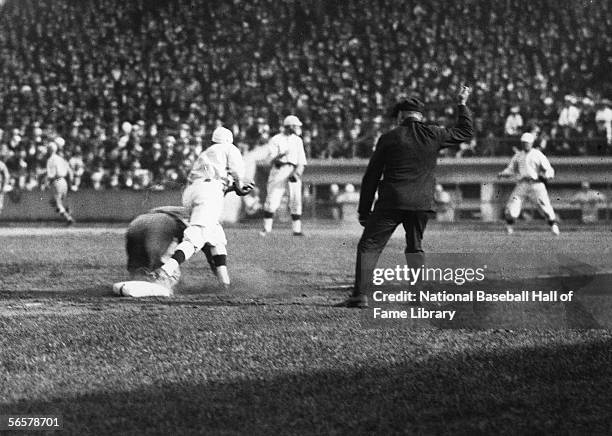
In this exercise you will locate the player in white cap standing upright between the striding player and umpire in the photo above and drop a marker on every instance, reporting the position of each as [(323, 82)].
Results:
[(287, 157)]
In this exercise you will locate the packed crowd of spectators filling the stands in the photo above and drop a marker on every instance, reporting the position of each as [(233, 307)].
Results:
[(135, 87)]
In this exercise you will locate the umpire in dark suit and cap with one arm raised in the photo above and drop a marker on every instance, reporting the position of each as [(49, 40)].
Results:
[(406, 159)]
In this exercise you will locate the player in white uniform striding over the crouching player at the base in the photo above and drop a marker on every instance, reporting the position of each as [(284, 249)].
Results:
[(203, 197)]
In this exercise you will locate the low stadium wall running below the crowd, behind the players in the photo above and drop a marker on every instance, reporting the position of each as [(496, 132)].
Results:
[(478, 175)]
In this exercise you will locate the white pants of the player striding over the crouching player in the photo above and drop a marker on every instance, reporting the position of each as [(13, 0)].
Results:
[(204, 201)]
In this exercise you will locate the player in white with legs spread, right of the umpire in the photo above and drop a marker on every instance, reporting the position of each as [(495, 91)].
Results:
[(532, 169)]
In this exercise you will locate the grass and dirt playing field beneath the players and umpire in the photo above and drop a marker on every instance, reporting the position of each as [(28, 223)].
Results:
[(271, 356)]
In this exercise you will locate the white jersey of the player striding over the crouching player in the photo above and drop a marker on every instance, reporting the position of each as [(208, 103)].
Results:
[(216, 162)]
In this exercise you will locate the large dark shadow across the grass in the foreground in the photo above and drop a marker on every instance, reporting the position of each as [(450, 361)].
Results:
[(533, 390)]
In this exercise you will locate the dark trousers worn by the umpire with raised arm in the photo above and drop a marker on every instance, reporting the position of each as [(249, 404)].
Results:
[(380, 226)]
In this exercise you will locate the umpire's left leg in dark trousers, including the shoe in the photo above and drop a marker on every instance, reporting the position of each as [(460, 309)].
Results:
[(380, 226)]
